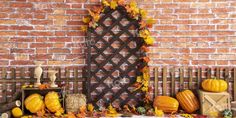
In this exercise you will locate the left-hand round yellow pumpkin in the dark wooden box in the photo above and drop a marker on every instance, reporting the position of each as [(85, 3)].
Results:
[(34, 103)]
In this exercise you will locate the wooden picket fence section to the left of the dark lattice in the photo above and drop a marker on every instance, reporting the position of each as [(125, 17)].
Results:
[(11, 79)]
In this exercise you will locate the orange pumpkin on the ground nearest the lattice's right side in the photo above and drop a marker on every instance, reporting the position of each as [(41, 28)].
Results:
[(166, 104)]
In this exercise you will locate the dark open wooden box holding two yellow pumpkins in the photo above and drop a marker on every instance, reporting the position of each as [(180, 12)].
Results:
[(28, 91)]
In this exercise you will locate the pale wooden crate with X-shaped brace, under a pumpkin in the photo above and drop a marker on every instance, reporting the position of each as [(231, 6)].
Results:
[(212, 104)]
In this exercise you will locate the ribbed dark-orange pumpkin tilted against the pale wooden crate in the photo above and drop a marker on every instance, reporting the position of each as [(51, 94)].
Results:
[(188, 101)]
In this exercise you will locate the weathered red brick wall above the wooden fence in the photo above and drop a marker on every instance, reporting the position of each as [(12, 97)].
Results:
[(187, 32)]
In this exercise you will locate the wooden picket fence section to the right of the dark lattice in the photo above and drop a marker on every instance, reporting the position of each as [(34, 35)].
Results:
[(168, 81)]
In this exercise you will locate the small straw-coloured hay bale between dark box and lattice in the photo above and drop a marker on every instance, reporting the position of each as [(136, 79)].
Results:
[(74, 101)]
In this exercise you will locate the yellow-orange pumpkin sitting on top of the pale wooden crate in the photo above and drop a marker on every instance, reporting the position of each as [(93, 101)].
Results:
[(214, 85)]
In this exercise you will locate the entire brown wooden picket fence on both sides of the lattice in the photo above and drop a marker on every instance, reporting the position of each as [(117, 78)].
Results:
[(167, 81)]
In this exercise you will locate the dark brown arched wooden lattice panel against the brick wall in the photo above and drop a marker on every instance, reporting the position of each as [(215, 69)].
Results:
[(113, 59)]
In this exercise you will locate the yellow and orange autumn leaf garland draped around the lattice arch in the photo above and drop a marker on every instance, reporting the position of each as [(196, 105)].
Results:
[(142, 81)]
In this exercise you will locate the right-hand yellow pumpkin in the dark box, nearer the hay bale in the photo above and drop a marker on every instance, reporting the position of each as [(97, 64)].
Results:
[(52, 102)]
